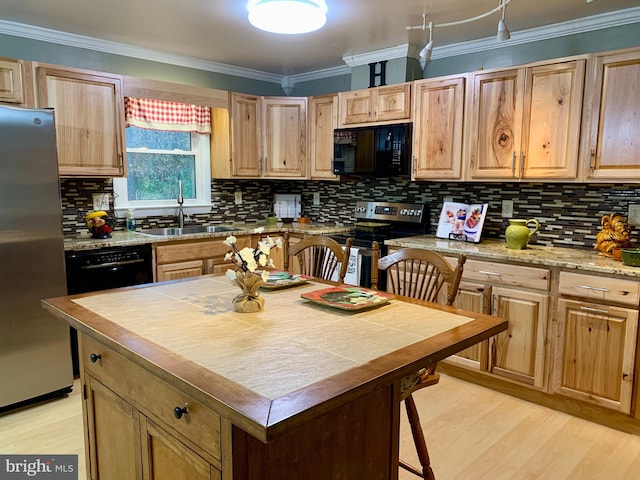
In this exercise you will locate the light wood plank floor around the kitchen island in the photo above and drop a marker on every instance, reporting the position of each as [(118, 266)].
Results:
[(473, 433)]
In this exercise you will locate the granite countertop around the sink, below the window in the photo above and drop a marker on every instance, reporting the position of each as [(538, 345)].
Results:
[(123, 238)]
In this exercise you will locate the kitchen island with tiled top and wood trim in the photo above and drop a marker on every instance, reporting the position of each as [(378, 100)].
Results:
[(177, 385)]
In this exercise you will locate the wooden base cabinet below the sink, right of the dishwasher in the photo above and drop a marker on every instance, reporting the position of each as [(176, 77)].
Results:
[(192, 258)]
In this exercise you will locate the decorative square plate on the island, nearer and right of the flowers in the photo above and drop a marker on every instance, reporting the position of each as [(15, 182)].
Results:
[(349, 298)]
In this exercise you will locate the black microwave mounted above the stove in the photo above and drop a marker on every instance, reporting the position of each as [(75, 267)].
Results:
[(381, 150)]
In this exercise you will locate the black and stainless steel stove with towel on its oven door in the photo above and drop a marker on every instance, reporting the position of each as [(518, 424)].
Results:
[(379, 221)]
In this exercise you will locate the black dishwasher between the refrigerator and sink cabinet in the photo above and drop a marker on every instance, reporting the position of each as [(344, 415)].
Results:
[(103, 269)]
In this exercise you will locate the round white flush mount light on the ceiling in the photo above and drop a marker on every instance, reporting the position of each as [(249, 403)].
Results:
[(287, 16)]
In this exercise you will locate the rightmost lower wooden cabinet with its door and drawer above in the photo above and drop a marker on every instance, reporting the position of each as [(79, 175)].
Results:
[(596, 340)]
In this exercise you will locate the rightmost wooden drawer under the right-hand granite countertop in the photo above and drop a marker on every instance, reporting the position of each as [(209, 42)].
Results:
[(600, 289)]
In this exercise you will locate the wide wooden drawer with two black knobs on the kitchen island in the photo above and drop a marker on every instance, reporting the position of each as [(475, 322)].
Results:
[(152, 396)]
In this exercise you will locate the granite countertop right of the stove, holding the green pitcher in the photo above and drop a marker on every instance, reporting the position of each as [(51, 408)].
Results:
[(494, 249)]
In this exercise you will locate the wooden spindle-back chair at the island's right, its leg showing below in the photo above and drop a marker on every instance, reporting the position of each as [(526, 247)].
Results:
[(420, 274)]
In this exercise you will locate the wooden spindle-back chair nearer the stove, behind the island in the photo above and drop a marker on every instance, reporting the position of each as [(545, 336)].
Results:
[(318, 256)]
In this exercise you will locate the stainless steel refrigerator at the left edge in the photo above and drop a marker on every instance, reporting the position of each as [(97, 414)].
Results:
[(35, 358)]
